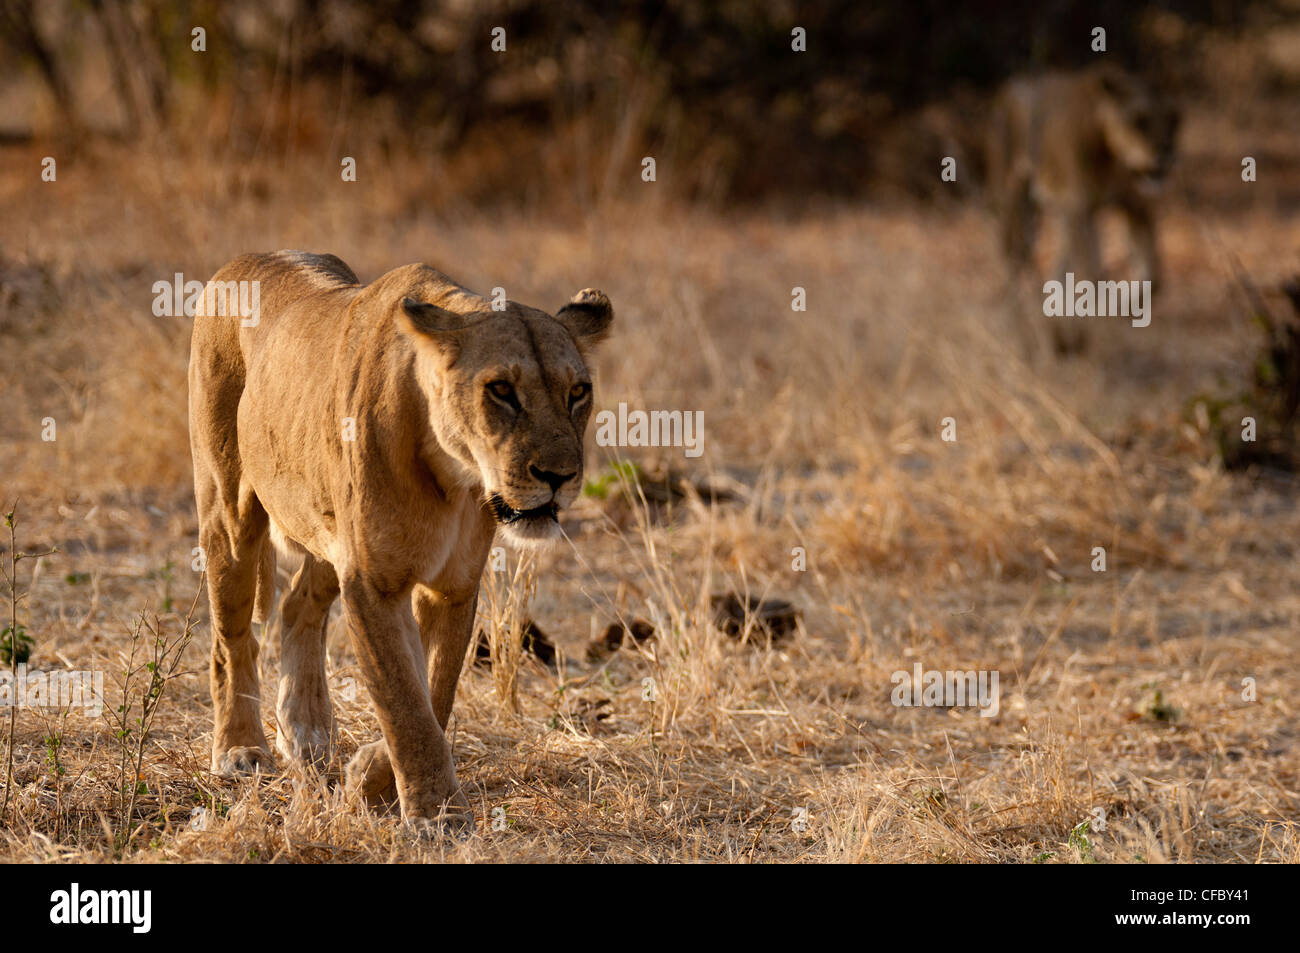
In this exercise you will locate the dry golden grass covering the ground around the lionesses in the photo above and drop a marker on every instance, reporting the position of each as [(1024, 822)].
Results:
[(957, 556)]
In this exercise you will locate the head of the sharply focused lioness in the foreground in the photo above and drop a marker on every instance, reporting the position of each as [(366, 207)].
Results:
[(510, 396)]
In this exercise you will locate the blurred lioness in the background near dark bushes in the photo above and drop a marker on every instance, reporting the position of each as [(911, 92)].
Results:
[(1068, 145)]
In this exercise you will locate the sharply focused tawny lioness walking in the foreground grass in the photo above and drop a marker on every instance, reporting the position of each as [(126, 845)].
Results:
[(384, 432)]
